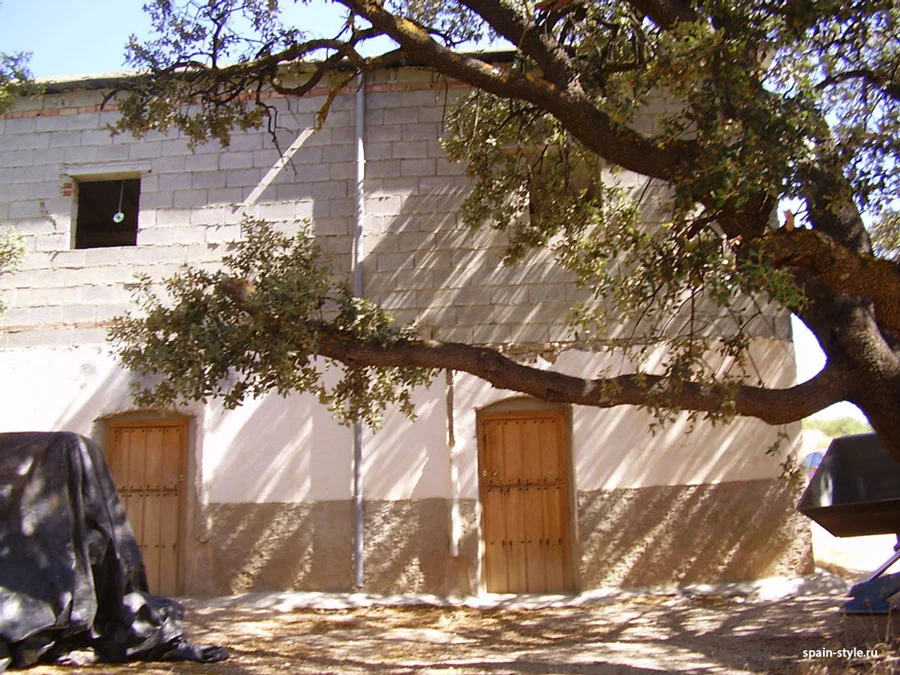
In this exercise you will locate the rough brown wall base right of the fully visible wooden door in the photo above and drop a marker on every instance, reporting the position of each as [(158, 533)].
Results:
[(692, 534)]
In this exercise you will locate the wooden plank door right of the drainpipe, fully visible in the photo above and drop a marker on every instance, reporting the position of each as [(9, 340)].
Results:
[(523, 468)]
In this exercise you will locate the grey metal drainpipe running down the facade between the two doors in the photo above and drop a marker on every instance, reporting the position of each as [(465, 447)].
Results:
[(358, 290)]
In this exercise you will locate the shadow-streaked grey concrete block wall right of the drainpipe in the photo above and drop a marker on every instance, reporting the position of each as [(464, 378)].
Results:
[(422, 262)]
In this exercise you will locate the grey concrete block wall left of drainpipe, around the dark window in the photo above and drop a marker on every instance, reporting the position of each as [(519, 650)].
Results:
[(191, 205)]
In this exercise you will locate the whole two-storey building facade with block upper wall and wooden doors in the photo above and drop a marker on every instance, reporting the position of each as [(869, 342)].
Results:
[(485, 491)]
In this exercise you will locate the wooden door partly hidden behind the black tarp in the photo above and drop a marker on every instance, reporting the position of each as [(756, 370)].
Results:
[(147, 461)]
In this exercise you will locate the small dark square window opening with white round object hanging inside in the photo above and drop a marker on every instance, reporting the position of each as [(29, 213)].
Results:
[(107, 213)]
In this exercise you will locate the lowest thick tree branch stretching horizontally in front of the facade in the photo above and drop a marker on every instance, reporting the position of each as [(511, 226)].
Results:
[(775, 406)]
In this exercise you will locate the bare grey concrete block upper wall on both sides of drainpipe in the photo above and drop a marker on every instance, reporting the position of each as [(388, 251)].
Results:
[(421, 262)]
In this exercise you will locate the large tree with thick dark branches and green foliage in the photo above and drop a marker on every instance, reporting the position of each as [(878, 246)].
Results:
[(763, 100)]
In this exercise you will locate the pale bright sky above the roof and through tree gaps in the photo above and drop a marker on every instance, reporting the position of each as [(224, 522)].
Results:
[(88, 38)]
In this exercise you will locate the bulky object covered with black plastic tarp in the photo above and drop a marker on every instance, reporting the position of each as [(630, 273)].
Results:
[(71, 574)]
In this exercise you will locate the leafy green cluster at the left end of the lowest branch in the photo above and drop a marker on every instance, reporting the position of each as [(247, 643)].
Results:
[(254, 326)]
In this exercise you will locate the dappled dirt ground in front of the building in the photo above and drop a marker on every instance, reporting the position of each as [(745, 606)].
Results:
[(631, 634)]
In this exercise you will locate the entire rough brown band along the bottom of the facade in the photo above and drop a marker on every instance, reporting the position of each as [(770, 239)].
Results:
[(635, 537)]
